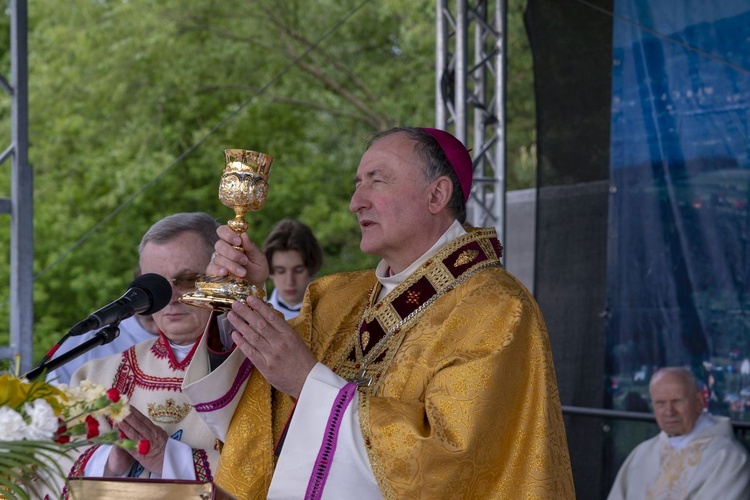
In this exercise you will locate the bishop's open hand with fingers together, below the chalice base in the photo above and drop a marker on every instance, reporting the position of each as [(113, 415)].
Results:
[(274, 348)]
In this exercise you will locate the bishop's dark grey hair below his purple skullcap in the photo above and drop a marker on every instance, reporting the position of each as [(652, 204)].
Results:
[(436, 164)]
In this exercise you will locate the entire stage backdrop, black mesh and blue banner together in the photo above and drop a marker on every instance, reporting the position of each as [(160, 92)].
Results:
[(643, 209)]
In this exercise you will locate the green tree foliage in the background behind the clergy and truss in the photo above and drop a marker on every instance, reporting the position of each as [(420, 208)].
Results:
[(133, 101)]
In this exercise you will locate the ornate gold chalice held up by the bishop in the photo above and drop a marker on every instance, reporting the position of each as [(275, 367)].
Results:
[(243, 188)]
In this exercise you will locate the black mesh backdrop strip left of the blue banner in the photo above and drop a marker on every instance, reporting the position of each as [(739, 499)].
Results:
[(571, 44)]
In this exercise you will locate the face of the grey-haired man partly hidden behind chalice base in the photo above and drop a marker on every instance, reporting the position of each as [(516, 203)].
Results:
[(179, 260)]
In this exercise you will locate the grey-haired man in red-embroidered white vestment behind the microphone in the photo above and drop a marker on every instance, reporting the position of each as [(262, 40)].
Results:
[(150, 373)]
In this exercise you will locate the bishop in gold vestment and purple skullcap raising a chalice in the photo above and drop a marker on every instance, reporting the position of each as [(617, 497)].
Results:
[(428, 377)]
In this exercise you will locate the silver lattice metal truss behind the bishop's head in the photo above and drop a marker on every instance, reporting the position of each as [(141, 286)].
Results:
[(470, 89)]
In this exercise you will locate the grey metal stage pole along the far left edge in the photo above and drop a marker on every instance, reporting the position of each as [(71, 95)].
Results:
[(20, 204)]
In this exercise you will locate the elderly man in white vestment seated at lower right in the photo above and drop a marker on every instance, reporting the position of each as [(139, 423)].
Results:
[(694, 456)]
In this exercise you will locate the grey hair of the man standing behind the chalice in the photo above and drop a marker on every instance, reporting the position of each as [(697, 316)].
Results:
[(172, 226)]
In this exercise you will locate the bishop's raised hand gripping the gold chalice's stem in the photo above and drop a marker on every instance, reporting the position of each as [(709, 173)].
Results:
[(248, 263)]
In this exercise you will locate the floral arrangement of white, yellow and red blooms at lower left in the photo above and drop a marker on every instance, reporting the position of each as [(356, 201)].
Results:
[(41, 422)]
